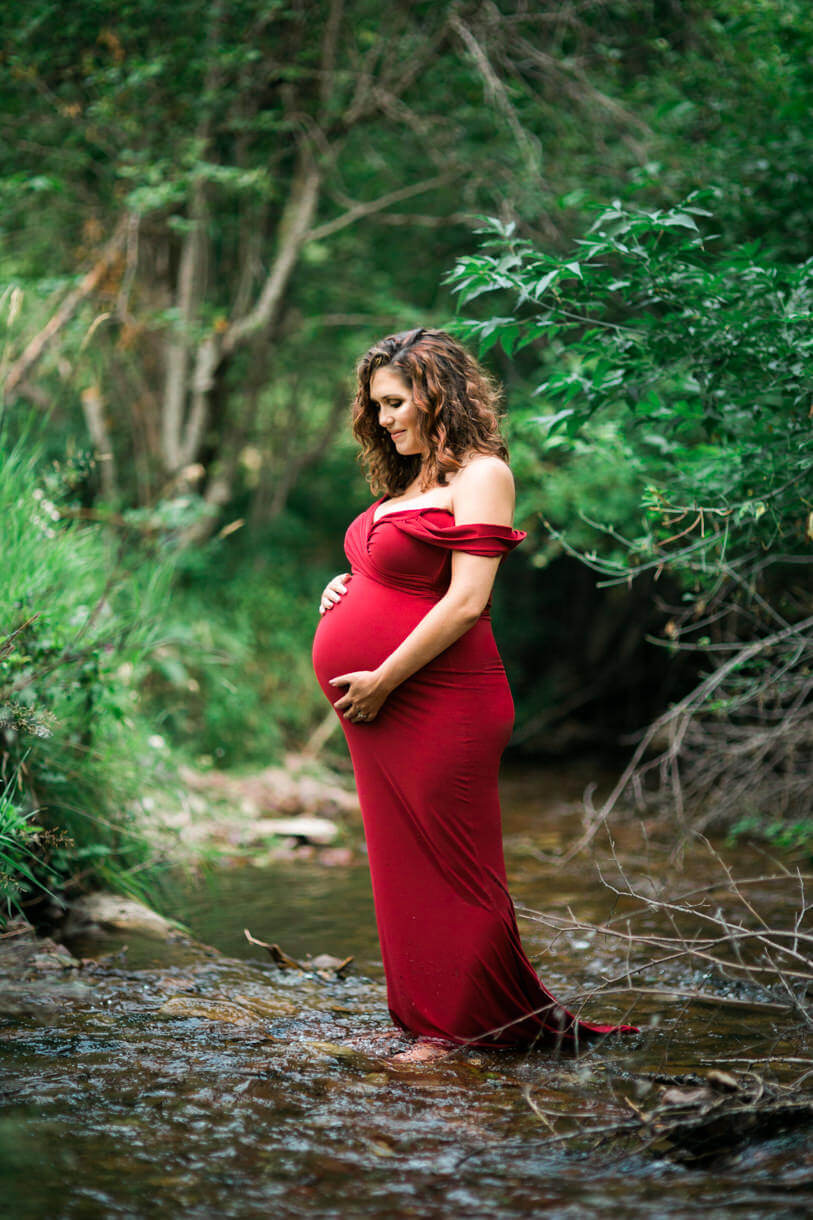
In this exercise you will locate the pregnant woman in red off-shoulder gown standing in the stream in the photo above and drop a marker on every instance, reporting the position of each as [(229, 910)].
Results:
[(406, 653)]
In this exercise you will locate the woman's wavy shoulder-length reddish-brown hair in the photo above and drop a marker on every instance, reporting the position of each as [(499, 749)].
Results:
[(457, 401)]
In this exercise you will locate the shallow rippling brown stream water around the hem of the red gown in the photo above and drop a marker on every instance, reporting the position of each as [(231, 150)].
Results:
[(167, 1080)]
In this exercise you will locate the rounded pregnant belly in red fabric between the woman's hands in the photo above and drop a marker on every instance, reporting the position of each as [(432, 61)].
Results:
[(369, 623)]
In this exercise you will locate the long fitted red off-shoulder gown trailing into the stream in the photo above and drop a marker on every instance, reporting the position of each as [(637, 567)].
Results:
[(427, 774)]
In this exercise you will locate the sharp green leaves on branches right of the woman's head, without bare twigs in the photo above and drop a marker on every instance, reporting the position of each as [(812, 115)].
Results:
[(698, 367)]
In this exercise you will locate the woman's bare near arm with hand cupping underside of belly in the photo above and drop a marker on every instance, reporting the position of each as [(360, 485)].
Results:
[(483, 492)]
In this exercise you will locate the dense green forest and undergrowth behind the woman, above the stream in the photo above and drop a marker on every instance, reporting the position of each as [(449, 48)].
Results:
[(212, 210)]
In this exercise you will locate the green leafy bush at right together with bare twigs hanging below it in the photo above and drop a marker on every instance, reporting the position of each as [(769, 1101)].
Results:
[(690, 365)]
